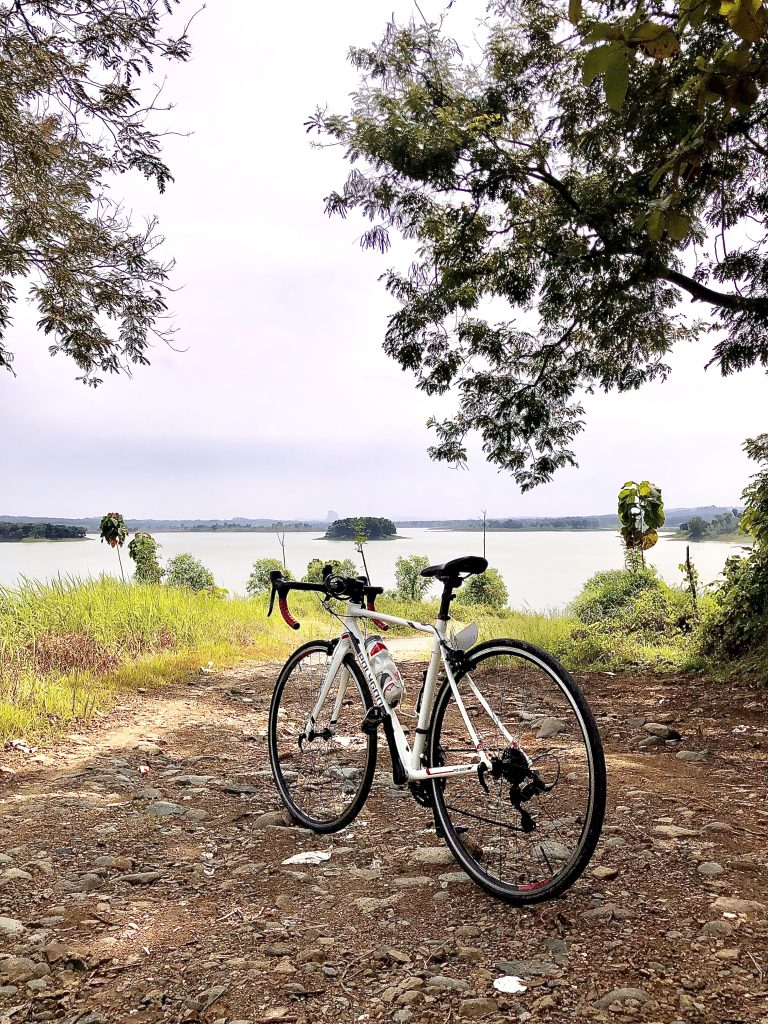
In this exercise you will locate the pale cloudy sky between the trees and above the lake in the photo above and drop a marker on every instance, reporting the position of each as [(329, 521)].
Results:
[(282, 403)]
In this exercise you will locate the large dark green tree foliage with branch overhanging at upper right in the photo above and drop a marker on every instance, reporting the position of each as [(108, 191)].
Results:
[(551, 255)]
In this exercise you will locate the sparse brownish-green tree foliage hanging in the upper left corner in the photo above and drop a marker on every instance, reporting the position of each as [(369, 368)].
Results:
[(76, 112)]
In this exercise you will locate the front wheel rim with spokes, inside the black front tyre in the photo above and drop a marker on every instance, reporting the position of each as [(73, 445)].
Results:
[(322, 776)]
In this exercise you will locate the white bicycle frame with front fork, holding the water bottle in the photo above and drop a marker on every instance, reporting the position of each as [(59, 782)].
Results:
[(411, 758)]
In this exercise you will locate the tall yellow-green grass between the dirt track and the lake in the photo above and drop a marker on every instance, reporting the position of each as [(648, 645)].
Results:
[(68, 648)]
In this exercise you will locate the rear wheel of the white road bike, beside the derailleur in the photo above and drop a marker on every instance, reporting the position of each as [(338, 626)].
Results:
[(527, 829)]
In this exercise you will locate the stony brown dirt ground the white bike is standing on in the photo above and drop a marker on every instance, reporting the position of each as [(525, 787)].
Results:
[(141, 881)]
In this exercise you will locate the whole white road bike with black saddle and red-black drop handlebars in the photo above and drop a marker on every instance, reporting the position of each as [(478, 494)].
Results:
[(503, 748)]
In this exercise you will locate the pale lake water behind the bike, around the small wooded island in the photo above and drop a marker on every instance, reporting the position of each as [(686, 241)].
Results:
[(542, 571)]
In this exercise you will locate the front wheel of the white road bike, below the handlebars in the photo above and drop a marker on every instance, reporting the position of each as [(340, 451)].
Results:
[(323, 769)]
